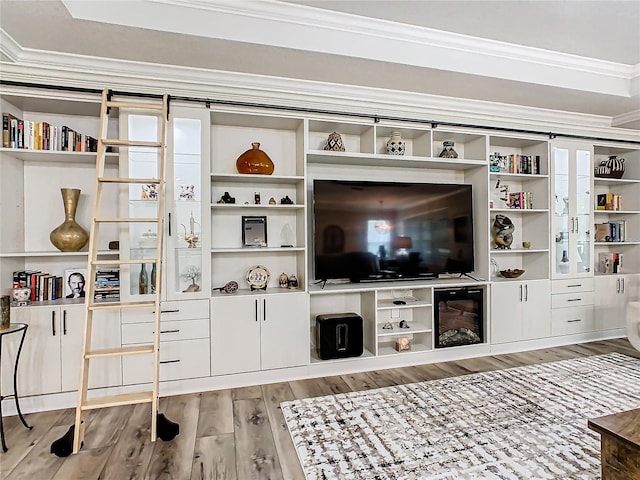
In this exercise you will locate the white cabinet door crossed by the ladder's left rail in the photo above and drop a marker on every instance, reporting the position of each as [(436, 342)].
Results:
[(103, 372)]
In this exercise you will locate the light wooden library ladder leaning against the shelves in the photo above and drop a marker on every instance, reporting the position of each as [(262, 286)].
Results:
[(85, 404)]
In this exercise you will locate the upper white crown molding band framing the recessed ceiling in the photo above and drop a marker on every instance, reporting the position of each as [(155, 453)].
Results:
[(280, 24)]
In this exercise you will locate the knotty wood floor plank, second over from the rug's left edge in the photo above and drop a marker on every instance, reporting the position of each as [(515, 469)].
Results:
[(256, 455)]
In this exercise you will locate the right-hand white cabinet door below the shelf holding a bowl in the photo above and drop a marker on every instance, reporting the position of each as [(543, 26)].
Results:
[(536, 310)]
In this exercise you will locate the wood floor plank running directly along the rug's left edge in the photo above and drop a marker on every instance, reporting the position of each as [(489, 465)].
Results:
[(274, 395)]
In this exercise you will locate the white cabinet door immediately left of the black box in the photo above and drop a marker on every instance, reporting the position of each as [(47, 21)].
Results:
[(285, 331)]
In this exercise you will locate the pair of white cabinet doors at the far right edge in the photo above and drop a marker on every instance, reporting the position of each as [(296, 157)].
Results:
[(612, 295)]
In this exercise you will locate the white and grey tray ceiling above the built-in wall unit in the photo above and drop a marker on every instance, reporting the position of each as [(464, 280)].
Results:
[(572, 56)]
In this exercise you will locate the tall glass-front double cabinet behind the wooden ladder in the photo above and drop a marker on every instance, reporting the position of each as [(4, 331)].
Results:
[(185, 273)]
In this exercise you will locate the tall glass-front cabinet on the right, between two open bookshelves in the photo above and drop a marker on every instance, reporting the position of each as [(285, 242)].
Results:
[(572, 216)]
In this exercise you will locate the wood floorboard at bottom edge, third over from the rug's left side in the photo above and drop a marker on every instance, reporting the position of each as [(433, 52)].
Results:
[(214, 458)]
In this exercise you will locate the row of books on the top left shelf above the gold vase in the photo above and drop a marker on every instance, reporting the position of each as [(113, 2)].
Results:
[(26, 134)]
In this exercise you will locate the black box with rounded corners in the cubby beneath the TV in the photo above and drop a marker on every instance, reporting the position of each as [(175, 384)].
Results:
[(339, 335)]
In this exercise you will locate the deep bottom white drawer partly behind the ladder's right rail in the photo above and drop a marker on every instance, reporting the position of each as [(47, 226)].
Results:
[(178, 360)]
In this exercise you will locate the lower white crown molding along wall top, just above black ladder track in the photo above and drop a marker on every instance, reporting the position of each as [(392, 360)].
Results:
[(36, 66)]
